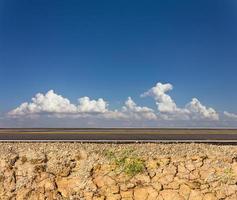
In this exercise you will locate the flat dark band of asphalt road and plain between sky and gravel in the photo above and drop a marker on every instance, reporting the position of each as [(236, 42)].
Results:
[(118, 134)]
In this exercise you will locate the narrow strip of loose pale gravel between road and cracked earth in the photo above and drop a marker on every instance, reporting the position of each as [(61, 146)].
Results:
[(142, 149)]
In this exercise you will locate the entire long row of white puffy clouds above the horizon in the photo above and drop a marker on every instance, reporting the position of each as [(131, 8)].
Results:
[(54, 105)]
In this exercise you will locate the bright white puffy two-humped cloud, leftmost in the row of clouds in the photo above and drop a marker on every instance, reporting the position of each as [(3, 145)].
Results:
[(52, 103)]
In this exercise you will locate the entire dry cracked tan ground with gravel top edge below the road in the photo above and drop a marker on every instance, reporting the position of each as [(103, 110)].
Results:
[(85, 171)]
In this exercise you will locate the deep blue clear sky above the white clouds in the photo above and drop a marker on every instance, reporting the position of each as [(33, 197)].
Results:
[(116, 49)]
